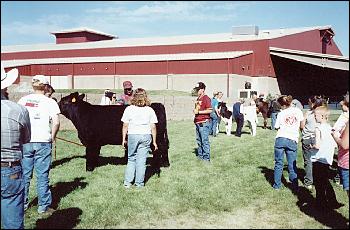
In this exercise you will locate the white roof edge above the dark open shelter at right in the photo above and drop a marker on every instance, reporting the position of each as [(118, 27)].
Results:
[(323, 60)]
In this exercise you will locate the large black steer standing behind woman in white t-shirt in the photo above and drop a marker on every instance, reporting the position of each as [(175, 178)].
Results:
[(100, 125)]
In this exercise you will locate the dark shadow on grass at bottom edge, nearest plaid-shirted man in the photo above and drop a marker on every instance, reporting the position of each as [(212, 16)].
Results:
[(61, 219)]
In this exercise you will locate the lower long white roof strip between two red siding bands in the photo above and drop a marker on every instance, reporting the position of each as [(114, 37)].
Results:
[(129, 58)]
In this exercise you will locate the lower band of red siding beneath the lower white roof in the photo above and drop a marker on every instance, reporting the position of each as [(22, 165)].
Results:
[(240, 65)]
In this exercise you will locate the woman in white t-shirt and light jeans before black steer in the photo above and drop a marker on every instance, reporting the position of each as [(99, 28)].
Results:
[(139, 131)]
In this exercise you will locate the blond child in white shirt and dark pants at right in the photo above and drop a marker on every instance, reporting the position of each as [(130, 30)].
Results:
[(322, 159)]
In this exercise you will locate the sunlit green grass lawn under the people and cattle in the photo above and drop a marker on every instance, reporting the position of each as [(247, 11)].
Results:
[(234, 191)]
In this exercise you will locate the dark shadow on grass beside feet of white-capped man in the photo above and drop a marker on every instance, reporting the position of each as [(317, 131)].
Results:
[(60, 190)]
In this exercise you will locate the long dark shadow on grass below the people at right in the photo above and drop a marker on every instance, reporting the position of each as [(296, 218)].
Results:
[(307, 203)]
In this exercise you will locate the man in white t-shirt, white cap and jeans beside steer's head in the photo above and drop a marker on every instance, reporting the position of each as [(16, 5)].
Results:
[(37, 153)]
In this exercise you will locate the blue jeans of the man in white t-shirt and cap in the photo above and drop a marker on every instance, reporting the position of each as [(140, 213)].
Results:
[(37, 155)]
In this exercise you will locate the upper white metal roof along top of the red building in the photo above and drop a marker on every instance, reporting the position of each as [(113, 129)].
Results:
[(170, 40)]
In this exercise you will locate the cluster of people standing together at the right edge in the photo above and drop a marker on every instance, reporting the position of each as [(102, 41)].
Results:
[(319, 141)]
